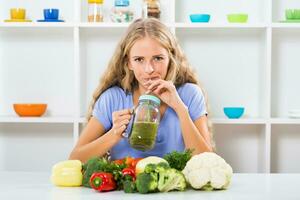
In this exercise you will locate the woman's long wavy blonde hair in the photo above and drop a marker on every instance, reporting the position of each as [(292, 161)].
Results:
[(117, 72)]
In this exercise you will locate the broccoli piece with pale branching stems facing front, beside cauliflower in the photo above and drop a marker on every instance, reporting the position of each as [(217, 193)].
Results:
[(171, 179)]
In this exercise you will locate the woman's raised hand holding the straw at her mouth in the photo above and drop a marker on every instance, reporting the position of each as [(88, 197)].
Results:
[(166, 91)]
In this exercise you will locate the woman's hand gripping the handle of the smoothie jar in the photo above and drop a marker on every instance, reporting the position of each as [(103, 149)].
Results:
[(120, 119)]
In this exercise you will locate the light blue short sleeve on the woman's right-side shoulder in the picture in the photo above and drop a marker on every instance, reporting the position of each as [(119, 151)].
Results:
[(194, 99)]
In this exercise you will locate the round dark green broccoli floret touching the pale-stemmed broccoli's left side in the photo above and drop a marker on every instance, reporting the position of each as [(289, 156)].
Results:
[(146, 182)]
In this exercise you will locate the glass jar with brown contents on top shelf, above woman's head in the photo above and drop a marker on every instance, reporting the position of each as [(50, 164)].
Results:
[(151, 8)]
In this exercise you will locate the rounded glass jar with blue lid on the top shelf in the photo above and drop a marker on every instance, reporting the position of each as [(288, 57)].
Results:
[(122, 12)]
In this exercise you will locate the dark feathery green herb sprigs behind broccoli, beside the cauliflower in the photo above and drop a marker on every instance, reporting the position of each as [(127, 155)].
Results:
[(178, 160)]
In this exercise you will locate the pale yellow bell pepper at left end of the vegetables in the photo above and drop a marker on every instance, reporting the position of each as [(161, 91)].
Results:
[(67, 173)]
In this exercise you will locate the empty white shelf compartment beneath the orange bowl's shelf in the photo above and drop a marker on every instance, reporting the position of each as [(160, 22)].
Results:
[(36, 146)]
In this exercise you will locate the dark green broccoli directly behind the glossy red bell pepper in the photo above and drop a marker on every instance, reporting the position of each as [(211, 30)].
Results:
[(97, 164)]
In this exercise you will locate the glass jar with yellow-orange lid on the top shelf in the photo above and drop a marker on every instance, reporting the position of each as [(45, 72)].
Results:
[(95, 10)]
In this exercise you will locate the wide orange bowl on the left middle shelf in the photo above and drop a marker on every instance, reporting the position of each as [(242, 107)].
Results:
[(30, 110)]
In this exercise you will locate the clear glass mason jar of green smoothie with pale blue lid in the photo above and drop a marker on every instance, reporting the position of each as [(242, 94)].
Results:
[(145, 123)]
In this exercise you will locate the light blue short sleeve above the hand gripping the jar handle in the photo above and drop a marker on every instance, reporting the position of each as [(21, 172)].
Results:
[(103, 109)]
